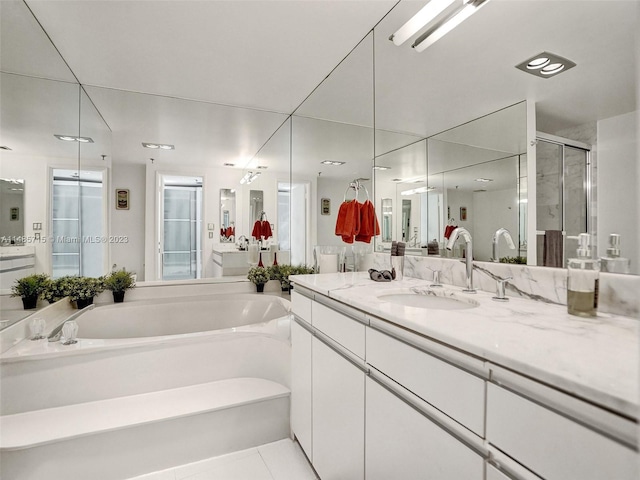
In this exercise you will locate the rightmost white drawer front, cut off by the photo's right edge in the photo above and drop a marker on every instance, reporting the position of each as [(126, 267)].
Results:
[(552, 445)]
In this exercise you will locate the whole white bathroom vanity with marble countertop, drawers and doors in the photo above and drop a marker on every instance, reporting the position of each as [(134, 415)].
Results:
[(479, 390)]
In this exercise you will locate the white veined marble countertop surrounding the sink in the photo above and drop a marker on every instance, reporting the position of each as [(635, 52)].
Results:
[(596, 359)]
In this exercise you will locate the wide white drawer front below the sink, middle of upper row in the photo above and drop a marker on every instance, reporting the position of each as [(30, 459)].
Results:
[(451, 390)]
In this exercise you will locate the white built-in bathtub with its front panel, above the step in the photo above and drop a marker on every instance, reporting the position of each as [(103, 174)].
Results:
[(148, 345)]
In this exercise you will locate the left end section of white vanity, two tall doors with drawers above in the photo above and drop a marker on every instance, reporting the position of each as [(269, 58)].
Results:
[(327, 399)]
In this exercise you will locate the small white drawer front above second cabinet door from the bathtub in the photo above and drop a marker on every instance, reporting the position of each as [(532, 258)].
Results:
[(347, 332)]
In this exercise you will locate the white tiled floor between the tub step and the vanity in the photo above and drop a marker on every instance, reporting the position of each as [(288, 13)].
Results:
[(282, 460)]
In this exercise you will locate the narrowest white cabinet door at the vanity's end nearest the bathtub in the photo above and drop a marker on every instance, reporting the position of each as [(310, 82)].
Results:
[(301, 386)]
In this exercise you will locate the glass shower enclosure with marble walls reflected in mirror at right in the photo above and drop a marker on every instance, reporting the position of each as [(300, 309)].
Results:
[(563, 195)]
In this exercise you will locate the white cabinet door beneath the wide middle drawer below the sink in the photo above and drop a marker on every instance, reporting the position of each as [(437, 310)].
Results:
[(402, 443)]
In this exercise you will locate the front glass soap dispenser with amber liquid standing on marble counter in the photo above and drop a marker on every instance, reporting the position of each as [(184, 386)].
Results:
[(582, 280)]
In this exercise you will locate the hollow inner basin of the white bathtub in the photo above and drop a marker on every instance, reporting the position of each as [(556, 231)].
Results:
[(181, 316)]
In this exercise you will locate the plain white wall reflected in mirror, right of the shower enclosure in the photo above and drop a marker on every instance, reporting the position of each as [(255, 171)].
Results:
[(618, 170)]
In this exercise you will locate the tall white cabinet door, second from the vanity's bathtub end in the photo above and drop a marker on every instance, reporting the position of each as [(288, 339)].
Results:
[(338, 415)]
